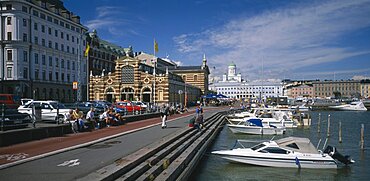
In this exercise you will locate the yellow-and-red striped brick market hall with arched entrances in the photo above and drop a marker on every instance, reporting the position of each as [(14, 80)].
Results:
[(135, 79)]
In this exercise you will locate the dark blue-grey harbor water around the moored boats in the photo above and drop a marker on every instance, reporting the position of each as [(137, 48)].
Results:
[(212, 167)]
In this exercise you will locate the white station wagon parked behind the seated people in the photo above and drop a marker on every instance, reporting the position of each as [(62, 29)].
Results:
[(48, 109)]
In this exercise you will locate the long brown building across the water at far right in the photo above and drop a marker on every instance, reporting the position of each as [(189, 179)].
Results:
[(337, 89)]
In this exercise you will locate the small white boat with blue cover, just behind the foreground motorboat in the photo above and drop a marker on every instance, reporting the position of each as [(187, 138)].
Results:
[(256, 127)]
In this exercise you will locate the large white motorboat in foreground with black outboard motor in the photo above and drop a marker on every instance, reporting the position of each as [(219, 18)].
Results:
[(290, 152)]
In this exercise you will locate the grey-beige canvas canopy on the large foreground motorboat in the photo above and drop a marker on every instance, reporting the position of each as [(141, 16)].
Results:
[(302, 145)]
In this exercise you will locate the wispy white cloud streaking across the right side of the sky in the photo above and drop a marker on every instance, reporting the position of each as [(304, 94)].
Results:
[(282, 40)]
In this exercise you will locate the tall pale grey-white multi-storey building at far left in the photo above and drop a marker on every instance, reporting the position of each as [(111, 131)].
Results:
[(42, 45)]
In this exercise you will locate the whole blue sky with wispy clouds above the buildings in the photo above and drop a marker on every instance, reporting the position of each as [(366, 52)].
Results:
[(266, 39)]
